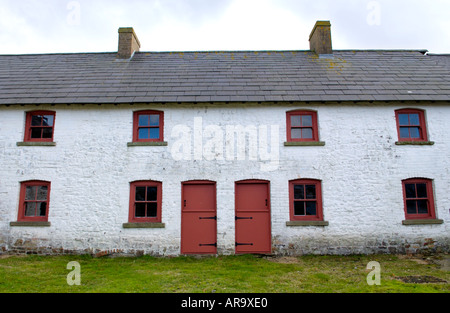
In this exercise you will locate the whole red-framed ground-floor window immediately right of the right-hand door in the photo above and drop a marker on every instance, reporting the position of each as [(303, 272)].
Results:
[(305, 200)]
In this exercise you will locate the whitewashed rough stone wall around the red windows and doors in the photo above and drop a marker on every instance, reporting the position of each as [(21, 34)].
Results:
[(91, 166)]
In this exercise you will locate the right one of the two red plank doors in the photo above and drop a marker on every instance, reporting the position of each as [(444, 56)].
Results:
[(252, 217)]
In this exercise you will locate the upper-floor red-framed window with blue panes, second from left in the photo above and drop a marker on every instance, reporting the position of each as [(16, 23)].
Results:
[(148, 126)]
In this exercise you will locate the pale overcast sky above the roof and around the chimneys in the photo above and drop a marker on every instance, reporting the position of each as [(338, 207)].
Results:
[(55, 26)]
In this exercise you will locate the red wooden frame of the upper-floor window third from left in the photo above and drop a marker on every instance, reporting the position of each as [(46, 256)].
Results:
[(302, 126)]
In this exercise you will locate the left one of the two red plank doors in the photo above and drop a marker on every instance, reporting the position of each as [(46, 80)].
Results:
[(198, 218)]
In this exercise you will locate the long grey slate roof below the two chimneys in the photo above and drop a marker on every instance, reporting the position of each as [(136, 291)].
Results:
[(227, 76)]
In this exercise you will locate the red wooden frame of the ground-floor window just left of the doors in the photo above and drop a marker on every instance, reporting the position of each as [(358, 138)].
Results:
[(144, 201)]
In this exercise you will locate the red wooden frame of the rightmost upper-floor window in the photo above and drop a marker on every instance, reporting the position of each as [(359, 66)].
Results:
[(419, 123)]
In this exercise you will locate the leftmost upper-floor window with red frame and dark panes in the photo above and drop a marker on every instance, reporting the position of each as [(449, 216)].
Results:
[(39, 126)]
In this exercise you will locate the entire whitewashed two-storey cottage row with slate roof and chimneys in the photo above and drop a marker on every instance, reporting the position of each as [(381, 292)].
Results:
[(272, 152)]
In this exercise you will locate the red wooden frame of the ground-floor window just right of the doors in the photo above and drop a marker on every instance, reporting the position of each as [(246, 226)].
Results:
[(304, 200)]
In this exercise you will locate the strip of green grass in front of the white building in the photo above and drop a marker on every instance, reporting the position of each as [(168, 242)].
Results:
[(223, 274)]
